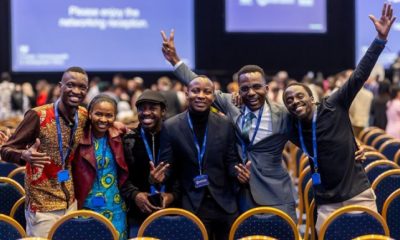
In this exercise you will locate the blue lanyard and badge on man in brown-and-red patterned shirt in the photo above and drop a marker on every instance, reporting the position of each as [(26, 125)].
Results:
[(63, 175)]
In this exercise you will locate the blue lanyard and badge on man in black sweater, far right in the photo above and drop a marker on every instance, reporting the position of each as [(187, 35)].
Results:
[(316, 177)]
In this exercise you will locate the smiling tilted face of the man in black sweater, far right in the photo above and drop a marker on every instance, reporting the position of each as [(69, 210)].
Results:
[(299, 102)]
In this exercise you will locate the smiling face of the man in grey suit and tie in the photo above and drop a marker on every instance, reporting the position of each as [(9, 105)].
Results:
[(253, 90)]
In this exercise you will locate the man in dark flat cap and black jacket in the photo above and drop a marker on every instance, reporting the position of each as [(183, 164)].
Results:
[(142, 148)]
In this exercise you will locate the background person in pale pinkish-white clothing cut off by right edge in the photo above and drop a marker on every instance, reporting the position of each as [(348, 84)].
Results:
[(393, 114)]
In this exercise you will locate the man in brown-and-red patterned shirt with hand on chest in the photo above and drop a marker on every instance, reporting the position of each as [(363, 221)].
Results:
[(52, 133)]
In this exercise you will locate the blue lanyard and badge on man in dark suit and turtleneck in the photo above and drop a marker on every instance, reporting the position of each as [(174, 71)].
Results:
[(200, 180)]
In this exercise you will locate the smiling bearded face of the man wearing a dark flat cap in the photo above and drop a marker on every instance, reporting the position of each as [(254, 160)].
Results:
[(150, 116)]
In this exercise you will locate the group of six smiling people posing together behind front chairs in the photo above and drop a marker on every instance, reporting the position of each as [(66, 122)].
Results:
[(212, 165)]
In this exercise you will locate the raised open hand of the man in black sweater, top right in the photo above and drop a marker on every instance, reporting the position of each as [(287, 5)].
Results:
[(385, 22)]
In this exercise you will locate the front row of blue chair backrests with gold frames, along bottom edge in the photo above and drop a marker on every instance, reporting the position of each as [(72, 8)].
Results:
[(260, 223)]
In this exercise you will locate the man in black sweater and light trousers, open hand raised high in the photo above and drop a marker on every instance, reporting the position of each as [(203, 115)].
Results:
[(324, 133)]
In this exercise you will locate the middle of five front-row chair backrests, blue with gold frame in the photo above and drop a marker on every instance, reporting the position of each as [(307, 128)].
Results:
[(173, 223)]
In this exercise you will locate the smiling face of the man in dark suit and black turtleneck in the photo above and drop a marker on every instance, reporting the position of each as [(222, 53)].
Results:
[(200, 94)]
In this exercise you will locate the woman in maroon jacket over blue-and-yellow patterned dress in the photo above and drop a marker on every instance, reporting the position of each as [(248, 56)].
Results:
[(99, 167)]
